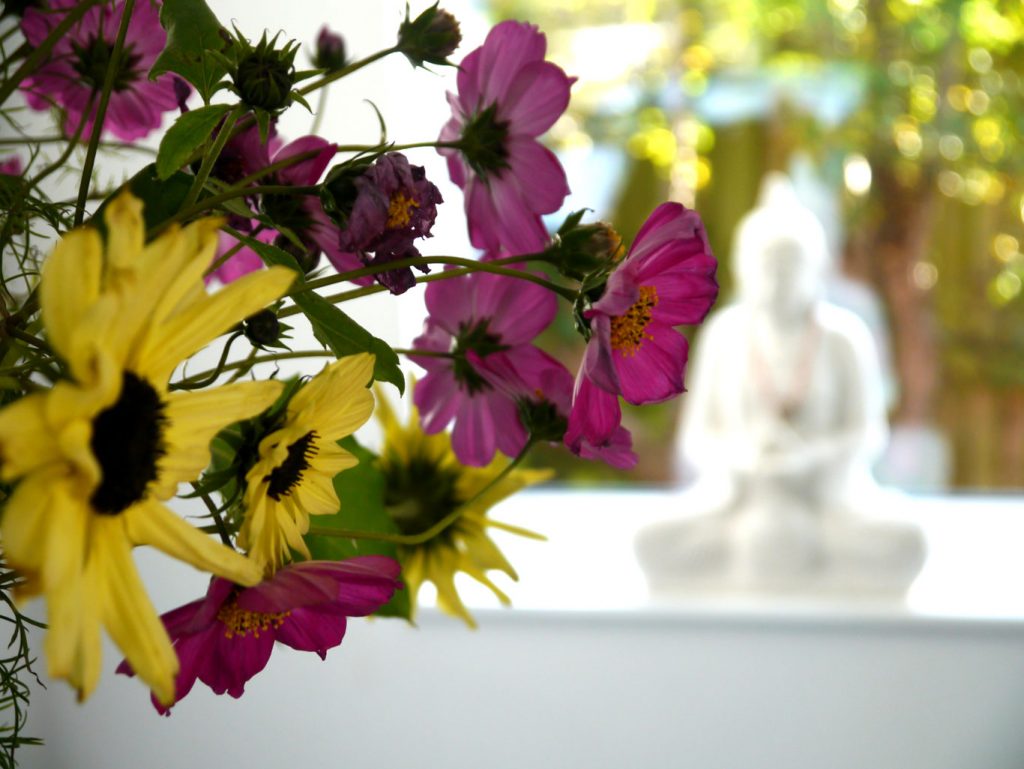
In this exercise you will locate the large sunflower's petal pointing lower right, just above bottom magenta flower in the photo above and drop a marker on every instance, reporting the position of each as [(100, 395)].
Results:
[(151, 523)]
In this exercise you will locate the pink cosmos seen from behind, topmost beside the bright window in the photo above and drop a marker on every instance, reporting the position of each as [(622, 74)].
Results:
[(508, 97)]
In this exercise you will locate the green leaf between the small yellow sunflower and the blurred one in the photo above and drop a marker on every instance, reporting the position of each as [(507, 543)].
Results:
[(361, 491)]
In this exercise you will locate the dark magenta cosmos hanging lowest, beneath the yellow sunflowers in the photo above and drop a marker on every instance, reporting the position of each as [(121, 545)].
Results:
[(227, 638)]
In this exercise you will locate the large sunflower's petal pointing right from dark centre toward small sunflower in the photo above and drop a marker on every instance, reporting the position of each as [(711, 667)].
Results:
[(194, 418)]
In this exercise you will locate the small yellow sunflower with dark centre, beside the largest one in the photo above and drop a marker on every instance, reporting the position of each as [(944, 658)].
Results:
[(294, 477)]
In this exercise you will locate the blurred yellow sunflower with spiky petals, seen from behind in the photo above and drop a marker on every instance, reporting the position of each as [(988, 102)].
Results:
[(424, 484)]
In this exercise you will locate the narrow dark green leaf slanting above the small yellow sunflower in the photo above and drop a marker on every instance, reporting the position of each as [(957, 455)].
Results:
[(332, 327)]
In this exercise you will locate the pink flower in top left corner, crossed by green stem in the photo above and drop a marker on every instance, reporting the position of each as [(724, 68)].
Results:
[(73, 76)]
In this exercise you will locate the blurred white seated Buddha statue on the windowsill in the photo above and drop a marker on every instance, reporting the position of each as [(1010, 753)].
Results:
[(783, 422)]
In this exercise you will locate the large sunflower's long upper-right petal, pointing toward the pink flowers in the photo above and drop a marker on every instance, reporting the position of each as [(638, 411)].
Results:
[(187, 332)]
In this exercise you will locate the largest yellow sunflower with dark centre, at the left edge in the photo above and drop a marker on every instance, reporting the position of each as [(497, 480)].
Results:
[(96, 455)]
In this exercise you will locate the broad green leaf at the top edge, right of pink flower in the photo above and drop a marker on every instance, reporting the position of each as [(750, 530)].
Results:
[(192, 31)]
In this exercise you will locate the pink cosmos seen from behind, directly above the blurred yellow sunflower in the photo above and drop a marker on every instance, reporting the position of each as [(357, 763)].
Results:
[(488, 316)]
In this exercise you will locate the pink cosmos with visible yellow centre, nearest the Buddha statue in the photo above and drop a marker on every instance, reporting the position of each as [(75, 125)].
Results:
[(668, 279)]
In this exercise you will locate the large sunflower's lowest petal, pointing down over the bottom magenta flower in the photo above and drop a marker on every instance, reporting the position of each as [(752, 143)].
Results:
[(127, 613)]
